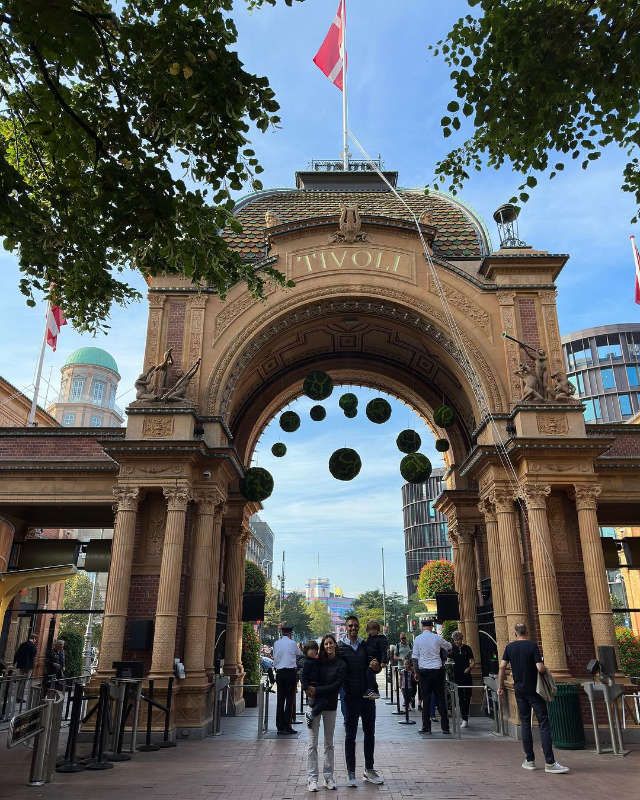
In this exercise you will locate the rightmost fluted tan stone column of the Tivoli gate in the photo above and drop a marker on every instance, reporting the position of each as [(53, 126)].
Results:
[(595, 574)]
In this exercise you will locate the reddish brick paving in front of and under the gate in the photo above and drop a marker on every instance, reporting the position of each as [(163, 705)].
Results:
[(235, 766)]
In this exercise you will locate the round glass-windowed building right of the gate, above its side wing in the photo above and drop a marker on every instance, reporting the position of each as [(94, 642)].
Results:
[(603, 364)]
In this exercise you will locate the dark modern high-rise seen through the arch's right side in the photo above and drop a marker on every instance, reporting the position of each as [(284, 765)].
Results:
[(425, 529)]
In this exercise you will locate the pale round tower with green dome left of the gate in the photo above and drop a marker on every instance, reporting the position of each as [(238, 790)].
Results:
[(88, 391)]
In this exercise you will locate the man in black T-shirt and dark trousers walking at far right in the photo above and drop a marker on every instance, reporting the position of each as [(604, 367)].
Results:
[(526, 662)]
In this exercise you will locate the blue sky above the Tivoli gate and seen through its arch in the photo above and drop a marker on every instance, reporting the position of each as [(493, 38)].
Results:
[(397, 94)]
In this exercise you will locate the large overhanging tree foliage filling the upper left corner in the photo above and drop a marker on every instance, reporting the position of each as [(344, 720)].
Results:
[(123, 130)]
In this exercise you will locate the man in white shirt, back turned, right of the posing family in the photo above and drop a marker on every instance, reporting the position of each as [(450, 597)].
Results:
[(429, 671)]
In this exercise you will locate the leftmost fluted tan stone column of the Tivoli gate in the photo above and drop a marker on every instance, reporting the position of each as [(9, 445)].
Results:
[(117, 598)]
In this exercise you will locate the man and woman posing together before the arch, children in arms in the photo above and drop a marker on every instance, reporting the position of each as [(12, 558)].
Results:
[(343, 666)]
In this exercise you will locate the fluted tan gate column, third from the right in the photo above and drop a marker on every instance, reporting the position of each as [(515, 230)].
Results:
[(515, 599)]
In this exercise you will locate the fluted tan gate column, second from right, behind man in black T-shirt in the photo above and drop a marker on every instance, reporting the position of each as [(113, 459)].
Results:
[(547, 594)]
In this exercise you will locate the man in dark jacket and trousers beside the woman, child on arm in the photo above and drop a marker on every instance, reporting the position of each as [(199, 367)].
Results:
[(352, 650)]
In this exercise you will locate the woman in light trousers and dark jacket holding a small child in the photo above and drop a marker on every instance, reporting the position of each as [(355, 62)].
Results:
[(329, 677)]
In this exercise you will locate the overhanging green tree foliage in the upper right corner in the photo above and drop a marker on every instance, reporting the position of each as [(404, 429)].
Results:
[(543, 81)]
